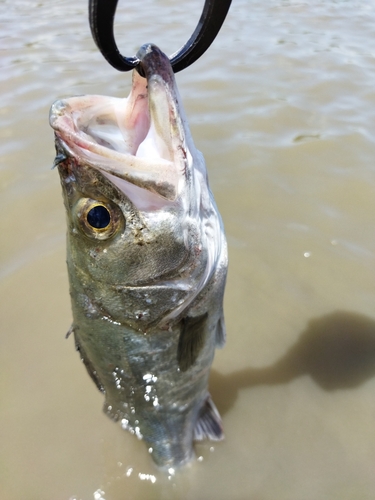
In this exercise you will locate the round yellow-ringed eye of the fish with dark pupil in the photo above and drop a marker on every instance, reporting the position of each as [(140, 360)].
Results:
[(97, 219)]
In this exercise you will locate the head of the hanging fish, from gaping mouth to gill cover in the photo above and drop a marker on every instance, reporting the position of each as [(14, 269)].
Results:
[(140, 212)]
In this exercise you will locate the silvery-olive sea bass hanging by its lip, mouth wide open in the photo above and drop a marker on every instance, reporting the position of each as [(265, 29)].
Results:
[(147, 258)]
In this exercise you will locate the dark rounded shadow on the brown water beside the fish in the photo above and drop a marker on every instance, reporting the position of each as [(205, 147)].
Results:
[(336, 350)]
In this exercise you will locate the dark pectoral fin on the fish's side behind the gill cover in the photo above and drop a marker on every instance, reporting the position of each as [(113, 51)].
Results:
[(191, 340)]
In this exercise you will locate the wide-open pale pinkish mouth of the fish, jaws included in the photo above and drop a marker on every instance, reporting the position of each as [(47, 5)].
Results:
[(140, 143)]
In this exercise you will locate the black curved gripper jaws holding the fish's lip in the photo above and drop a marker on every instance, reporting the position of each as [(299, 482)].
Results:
[(102, 15)]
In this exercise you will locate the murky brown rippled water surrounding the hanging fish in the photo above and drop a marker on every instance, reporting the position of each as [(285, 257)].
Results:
[(283, 107)]
